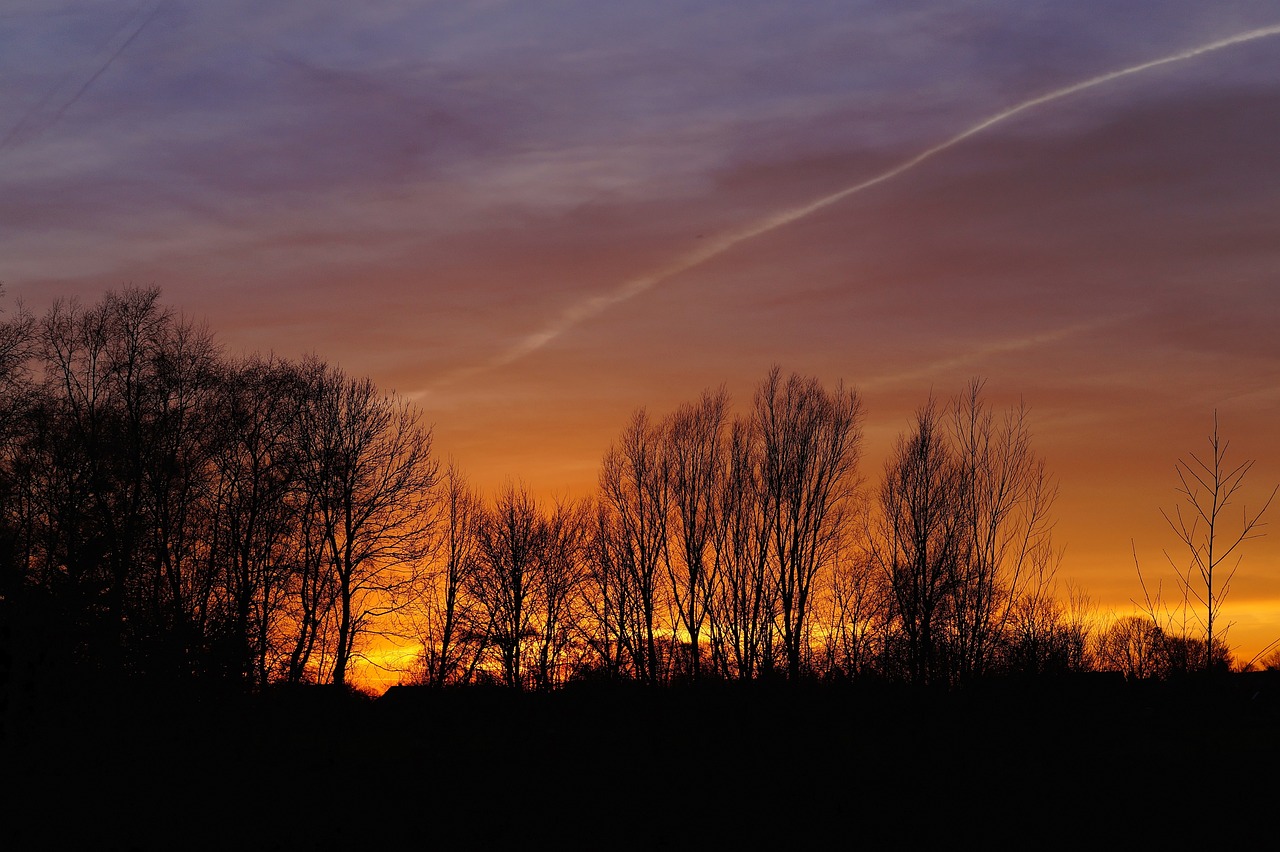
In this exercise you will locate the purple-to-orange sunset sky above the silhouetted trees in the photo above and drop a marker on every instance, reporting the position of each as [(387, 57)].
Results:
[(536, 218)]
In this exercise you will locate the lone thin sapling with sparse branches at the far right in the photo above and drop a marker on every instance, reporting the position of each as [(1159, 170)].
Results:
[(1209, 487)]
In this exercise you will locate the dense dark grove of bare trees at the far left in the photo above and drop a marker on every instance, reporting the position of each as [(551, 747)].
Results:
[(168, 511)]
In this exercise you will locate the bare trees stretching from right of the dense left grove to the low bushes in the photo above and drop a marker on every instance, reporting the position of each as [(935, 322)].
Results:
[(739, 547)]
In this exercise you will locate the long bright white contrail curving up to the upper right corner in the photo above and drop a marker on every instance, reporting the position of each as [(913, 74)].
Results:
[(596, 305)]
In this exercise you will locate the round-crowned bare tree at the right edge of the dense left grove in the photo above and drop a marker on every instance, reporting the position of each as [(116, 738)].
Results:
[(368, 469)]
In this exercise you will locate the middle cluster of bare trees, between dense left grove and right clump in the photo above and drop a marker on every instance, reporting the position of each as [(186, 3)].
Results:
[(700, 557)]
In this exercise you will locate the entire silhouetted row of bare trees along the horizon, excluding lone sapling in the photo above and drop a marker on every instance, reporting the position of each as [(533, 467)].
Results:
[(170, 512)]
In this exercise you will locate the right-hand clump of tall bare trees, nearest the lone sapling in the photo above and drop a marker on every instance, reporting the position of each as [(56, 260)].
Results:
[(963, 546)]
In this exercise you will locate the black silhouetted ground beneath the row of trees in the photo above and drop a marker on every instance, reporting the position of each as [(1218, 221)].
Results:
[(1062, 764)]
